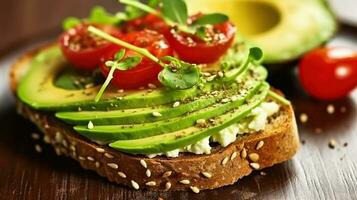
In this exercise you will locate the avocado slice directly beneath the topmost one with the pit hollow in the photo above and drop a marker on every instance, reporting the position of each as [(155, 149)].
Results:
[(144, 115)]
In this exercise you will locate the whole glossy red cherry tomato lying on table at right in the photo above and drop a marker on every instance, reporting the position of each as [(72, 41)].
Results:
[(329, 73)]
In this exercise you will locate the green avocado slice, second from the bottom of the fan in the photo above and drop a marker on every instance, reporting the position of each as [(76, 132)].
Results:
[(110, 133)]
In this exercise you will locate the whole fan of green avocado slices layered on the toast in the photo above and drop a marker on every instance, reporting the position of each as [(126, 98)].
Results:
[(145, 121)]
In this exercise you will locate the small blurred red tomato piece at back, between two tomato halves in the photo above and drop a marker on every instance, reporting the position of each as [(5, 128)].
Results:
[(149, 21)]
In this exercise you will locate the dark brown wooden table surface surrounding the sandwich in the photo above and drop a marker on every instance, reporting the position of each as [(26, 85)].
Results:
[(316, 172)]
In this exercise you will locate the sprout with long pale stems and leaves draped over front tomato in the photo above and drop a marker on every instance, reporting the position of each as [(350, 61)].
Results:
[(176, 74)]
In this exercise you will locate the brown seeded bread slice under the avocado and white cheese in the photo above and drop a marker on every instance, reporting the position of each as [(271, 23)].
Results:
[(224, 166)]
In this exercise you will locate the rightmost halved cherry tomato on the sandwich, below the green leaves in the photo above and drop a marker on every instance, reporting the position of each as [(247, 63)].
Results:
[(193, 49)]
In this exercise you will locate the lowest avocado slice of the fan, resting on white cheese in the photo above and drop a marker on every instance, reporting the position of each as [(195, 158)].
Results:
[(179, 139)]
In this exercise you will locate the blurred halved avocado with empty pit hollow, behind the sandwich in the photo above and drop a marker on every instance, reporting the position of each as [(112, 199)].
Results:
[(284, 29)]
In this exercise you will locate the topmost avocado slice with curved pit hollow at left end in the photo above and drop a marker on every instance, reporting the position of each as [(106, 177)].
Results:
[(37, 89)]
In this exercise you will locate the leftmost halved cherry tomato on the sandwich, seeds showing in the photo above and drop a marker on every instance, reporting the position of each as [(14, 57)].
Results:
[(85, 50)]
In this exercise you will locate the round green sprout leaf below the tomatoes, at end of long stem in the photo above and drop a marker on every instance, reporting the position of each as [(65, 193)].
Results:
[(178, 74)]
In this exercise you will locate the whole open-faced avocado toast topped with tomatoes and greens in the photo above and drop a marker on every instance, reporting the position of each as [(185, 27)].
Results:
[(153, 98)]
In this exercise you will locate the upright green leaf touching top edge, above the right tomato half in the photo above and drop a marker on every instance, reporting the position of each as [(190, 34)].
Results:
[(175, 10)]
